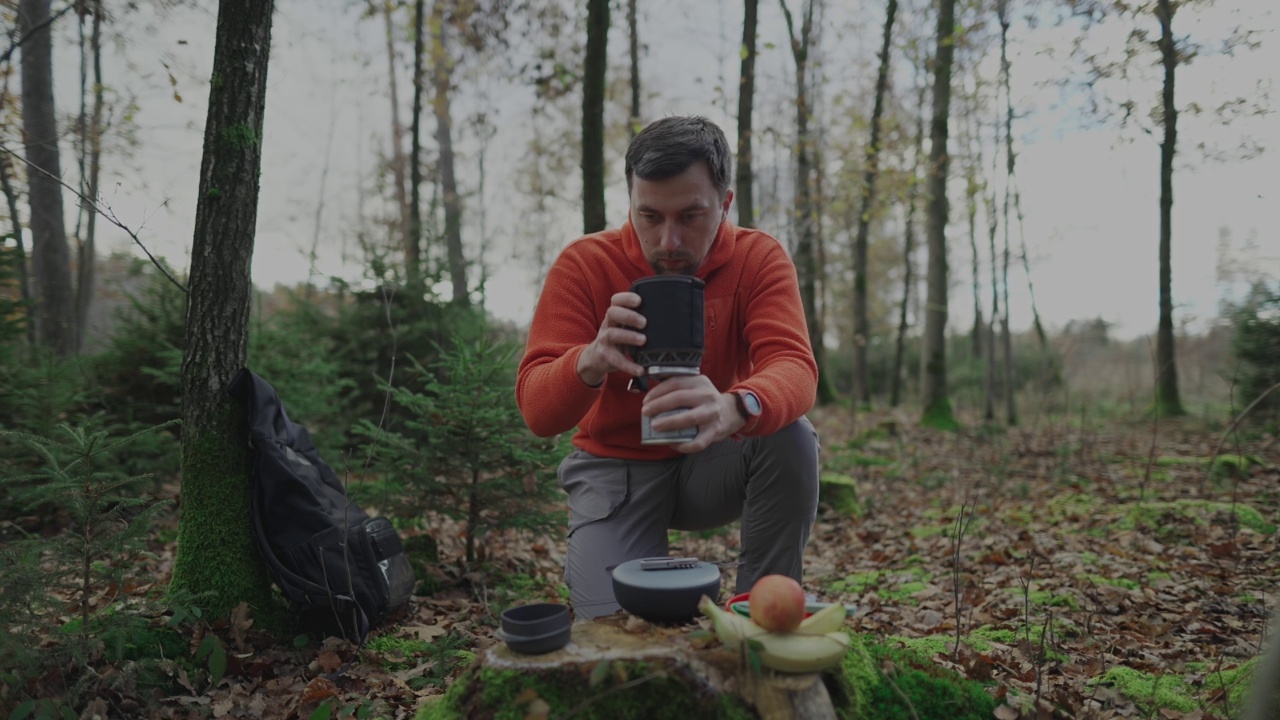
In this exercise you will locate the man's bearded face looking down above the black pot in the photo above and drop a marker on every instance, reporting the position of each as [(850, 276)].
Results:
[(678, 220)]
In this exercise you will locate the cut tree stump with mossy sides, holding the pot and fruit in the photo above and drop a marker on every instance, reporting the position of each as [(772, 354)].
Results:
[(624, 667)]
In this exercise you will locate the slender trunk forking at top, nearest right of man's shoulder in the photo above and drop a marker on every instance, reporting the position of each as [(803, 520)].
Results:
[(807, 239)]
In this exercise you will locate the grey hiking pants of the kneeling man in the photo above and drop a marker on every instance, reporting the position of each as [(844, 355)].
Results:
[(621, 509)]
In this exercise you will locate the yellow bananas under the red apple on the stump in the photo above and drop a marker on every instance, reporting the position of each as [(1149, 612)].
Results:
[(788, 653)]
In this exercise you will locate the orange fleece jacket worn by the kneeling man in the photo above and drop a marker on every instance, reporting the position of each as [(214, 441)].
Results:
[(755, 326)]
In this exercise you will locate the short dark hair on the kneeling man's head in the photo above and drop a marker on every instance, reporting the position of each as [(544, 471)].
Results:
[(670, 147)]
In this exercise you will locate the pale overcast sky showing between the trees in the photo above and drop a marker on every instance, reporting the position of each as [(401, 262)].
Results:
[(1090, 192)]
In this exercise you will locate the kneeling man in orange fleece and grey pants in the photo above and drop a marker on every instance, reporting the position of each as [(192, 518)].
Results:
[(756, 457)]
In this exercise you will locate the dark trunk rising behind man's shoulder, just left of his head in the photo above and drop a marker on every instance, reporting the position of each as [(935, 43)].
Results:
[(593, 116)]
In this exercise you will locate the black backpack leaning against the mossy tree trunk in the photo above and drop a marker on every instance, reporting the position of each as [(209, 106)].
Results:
[(342, 571)]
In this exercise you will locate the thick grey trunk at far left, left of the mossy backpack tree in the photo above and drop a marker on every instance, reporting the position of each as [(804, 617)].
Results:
[(51, 256)]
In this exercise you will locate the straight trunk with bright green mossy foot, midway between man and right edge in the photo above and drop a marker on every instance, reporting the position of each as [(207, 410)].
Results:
[(934, 379)]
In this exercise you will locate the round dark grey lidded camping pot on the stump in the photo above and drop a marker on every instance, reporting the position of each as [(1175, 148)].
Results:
[(665, 590)]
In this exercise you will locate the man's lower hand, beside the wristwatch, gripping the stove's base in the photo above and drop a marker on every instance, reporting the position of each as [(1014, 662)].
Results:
[(715, 413)]
